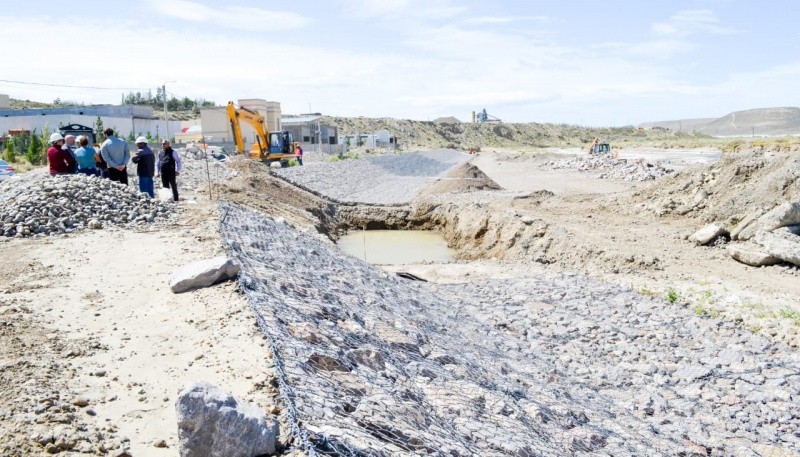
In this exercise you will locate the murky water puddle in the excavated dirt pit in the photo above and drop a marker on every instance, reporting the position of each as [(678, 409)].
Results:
[(396, 247)]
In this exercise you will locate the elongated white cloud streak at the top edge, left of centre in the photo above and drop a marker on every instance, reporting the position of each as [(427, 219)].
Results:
[(236, 17)]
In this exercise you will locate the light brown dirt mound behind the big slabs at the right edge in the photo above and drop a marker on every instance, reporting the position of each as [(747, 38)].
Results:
[(726, 190)]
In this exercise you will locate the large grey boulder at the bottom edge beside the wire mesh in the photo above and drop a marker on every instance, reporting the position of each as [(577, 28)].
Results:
[(211, 423)]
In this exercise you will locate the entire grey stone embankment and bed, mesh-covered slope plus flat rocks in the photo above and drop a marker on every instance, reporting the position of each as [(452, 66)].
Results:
[(371, 364)]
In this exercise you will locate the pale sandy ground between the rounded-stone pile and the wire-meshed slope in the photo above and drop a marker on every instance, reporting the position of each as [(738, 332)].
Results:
[(140, 343)]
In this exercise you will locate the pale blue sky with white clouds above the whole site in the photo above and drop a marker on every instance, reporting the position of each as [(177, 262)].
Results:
[(591, 63)]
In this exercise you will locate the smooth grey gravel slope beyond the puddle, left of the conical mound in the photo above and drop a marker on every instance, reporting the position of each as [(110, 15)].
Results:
[(391, 179)]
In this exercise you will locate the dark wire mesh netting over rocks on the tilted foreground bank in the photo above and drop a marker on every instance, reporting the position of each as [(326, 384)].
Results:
[(371, 364)]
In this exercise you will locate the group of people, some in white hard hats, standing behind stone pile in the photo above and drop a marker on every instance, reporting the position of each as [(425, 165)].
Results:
[(65, 157)]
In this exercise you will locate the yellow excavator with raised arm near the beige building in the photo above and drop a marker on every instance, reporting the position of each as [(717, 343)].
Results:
[(270, 146)]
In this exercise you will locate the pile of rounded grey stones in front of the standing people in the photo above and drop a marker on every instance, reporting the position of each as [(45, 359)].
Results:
[(37, 204)]
